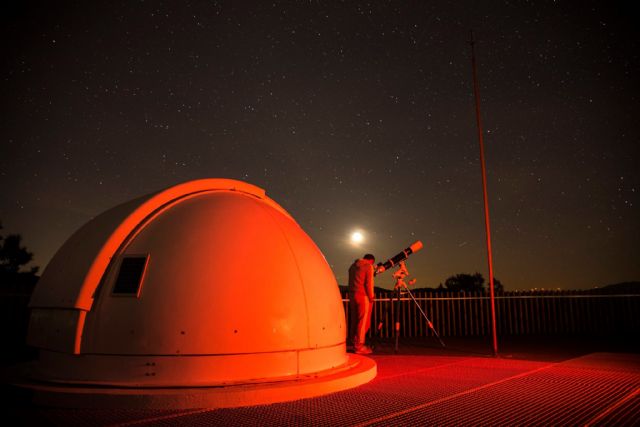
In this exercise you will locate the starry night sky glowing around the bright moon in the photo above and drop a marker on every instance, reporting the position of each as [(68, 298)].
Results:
[(354, 115)]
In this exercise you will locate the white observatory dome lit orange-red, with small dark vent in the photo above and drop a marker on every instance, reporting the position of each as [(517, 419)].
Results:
[(207, 283)]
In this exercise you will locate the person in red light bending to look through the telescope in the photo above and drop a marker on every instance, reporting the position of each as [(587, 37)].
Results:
[(360, 302)]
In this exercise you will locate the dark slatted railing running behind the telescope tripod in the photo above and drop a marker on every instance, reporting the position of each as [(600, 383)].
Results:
[(517, 313)]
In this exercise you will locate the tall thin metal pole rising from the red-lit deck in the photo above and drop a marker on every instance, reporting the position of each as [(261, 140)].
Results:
[(476, 94)]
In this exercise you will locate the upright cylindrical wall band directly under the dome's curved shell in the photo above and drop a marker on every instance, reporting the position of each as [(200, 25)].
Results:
[(163, 371)]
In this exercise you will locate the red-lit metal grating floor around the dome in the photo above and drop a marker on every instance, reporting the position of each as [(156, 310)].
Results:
[(597, 389)]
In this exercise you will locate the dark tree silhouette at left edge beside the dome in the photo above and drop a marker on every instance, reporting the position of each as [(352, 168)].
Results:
[(13, 257)]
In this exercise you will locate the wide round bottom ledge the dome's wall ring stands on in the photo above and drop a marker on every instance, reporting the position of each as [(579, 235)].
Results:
[(359, 370)]
